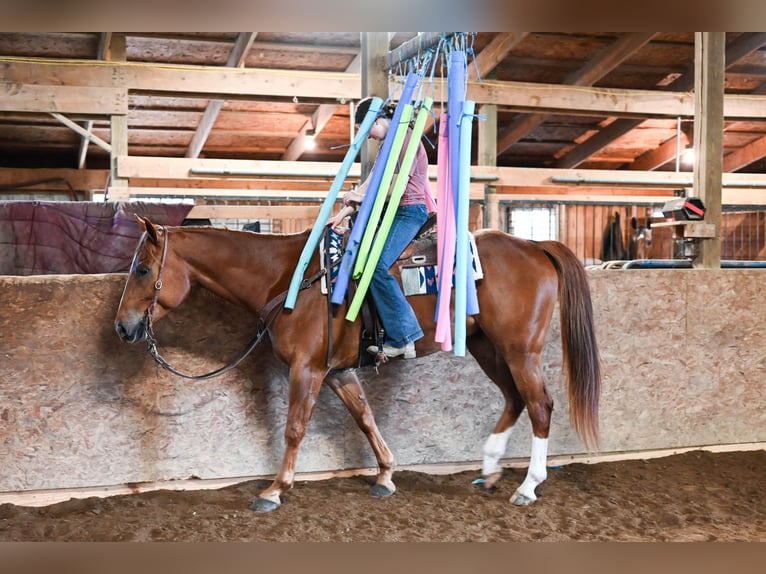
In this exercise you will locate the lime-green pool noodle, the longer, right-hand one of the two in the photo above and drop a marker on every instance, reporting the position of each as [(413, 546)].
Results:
[(393, 205)]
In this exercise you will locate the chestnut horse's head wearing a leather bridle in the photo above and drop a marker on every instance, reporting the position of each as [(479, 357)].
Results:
[(156, 283)]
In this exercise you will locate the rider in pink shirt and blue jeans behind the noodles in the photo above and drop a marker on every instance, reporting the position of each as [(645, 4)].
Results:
[(399, 321)]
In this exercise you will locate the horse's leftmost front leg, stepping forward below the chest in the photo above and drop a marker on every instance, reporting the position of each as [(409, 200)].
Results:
[(304, 389)]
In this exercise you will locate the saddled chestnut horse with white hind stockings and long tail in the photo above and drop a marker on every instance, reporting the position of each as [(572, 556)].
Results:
[(522, 282)]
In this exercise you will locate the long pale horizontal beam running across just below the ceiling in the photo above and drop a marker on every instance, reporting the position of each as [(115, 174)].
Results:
[(244, 83)]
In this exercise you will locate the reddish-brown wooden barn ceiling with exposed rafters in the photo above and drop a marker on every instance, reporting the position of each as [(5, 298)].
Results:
[(170, 112)]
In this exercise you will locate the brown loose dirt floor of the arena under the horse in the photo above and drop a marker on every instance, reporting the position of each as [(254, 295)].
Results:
[(696, 496)]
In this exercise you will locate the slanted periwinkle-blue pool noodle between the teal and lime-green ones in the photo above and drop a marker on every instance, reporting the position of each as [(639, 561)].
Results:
[(349, 255)]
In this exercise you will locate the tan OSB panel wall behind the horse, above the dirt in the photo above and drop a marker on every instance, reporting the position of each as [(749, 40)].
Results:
[(683, 357)]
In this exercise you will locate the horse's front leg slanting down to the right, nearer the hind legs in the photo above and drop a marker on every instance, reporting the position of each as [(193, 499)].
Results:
[(348, 388)]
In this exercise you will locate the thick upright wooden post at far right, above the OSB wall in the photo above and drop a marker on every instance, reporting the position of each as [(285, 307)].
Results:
[(709, 56)]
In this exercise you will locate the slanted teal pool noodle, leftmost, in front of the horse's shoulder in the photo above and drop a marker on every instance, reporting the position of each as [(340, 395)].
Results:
[(329, 202)]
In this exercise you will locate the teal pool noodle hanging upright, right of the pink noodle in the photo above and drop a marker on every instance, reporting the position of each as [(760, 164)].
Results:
[(462, 276)]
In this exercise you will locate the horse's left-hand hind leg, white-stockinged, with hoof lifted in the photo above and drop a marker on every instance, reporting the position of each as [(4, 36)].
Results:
[(494, 366)]
